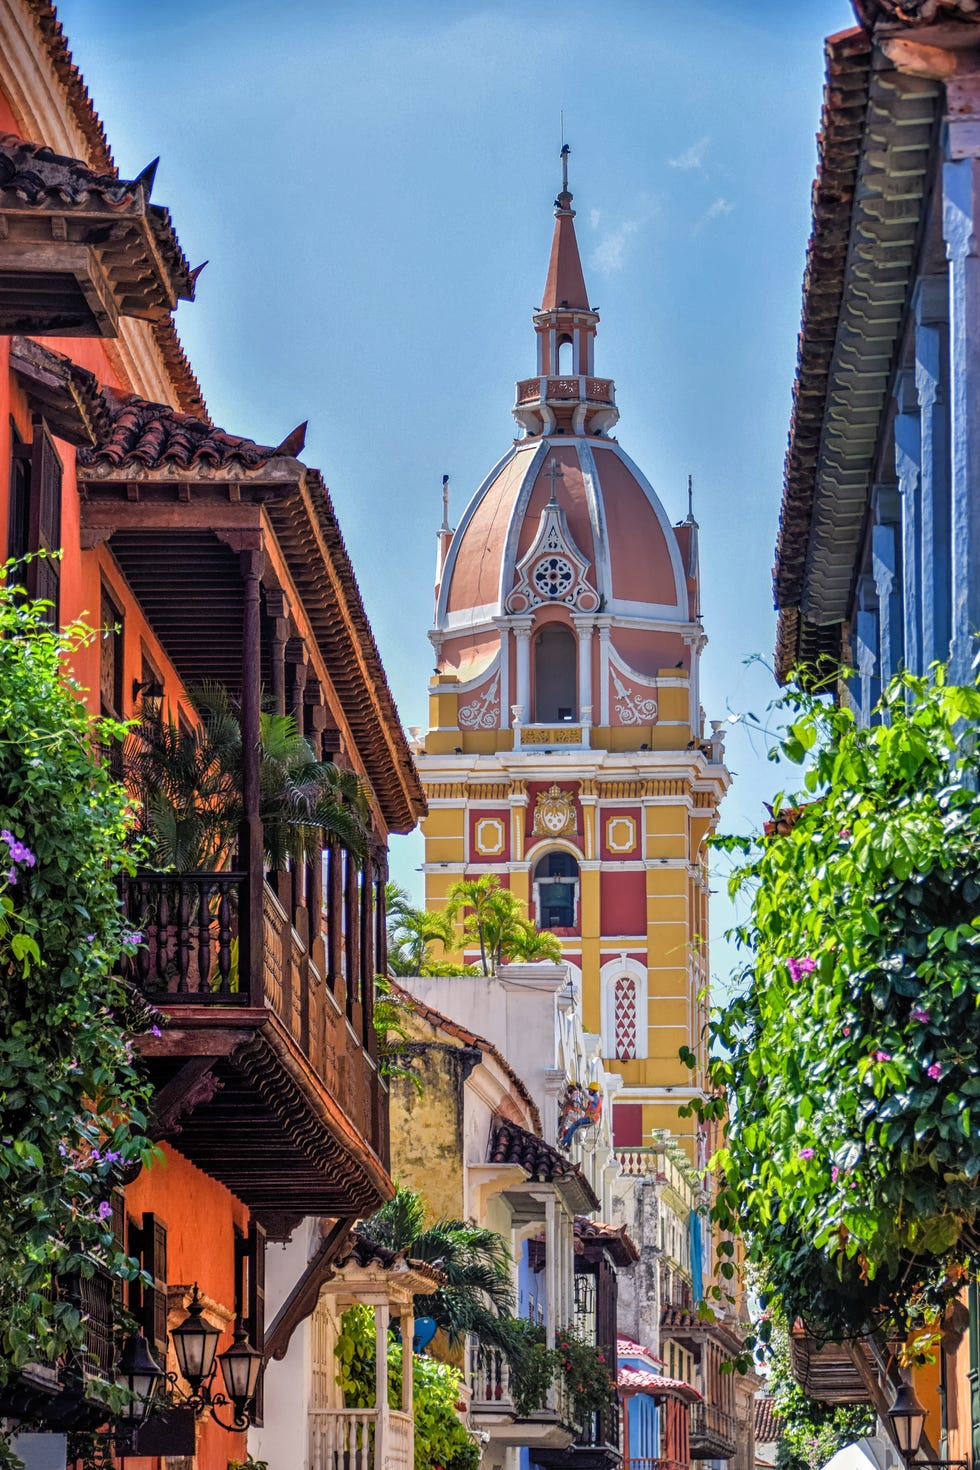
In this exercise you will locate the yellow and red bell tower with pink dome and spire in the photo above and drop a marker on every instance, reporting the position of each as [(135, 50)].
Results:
[(566, 747)]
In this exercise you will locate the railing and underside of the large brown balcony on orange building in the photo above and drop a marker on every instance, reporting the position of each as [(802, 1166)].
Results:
[(265, 1072)]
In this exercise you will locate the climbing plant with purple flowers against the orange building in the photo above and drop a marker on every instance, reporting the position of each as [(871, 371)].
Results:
[(73, 1099)]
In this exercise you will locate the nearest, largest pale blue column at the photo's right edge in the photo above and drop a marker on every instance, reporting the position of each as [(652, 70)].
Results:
[(962, 199)]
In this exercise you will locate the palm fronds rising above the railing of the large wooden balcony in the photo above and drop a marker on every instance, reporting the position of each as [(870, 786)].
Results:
[(189, 783)]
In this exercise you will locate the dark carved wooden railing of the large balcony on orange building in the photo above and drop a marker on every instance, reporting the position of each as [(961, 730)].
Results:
[(189, 955)]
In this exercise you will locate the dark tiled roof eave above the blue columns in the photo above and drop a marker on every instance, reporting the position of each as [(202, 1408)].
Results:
[(859, 268)]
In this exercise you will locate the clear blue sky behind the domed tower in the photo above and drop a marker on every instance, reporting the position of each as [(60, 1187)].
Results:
[(372, 186)]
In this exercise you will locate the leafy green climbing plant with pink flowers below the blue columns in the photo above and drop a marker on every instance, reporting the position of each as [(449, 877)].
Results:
[(849, 1065)]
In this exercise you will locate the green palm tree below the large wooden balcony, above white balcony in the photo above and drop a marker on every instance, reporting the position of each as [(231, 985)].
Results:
[(478, 1296)]
